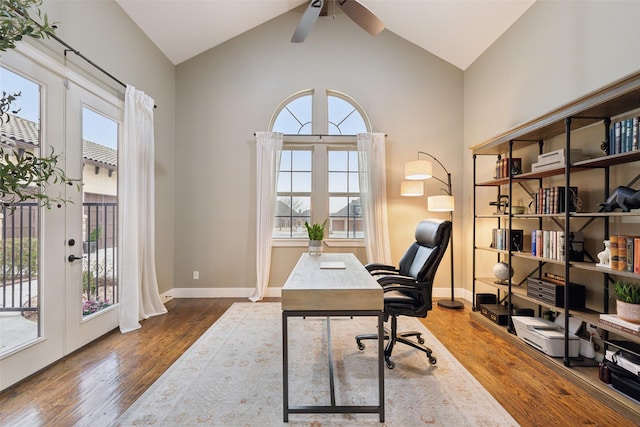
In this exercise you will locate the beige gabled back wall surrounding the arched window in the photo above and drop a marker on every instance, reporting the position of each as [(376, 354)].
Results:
[(226, 94)]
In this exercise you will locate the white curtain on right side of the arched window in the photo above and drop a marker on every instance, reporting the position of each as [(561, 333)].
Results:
[(373, 196)]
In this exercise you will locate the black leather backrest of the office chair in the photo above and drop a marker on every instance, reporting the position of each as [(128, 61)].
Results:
[(423, 257)]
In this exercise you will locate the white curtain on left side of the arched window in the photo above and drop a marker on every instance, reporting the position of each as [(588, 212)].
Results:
[(269, 147)]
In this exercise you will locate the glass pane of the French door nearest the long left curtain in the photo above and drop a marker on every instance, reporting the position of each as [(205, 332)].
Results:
[(100, 211)]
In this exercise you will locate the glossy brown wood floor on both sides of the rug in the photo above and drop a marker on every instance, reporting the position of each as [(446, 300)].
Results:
[(96, 384)]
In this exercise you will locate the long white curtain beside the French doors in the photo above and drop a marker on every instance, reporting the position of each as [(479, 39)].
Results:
[(139, 297)]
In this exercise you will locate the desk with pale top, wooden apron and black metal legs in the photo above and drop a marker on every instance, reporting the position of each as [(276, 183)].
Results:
[(318, 286)]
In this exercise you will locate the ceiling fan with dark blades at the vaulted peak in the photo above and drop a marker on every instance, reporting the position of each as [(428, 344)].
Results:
[(352, 8)]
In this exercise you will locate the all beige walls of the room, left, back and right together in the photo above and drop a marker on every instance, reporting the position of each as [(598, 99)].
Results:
[(209, 108)]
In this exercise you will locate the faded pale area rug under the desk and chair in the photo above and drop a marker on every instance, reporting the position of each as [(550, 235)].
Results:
[(232, 376)]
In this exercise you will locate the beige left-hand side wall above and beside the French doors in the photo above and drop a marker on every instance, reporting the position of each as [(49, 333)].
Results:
[(101, 31)]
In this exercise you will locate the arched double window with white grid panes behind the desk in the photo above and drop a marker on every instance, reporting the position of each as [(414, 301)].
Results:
[(318, 177)]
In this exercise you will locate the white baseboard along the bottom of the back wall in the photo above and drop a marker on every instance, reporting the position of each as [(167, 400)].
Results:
[(273, 293)]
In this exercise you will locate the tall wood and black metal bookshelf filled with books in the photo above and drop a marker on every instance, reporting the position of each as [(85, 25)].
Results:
[(597, 177)]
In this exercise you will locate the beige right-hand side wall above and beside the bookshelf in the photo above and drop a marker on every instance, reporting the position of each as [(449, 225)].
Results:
[(557, 52)]
